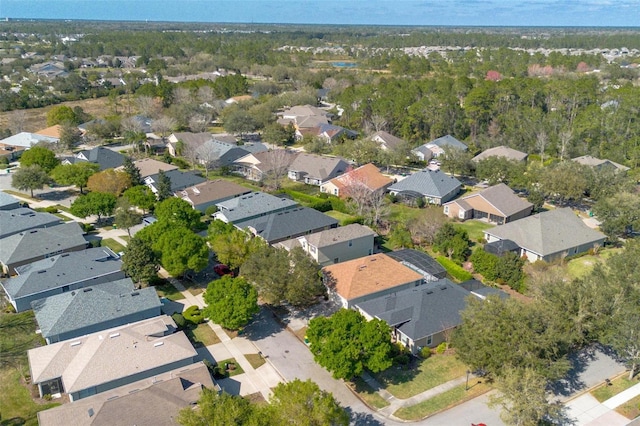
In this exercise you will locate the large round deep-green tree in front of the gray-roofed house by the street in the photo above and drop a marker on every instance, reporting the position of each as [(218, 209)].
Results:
[(346, 343)]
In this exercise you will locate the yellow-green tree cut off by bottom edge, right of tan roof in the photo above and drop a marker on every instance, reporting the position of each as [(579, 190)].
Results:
[(304, 404)]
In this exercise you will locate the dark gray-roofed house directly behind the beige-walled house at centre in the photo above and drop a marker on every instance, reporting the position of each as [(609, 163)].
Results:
[(286, 224)]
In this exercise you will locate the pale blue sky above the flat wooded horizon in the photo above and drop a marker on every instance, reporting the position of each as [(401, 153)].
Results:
[(605, 13)]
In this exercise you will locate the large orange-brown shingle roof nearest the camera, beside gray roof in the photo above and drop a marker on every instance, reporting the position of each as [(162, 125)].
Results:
[(367, 275)]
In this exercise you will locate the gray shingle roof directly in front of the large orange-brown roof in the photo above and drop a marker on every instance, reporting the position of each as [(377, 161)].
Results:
[(421, 311)]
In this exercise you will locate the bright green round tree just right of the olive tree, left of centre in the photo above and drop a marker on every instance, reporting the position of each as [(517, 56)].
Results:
[(181, 250)]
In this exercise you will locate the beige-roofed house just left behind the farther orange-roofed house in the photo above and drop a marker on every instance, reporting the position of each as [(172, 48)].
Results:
[(315, 169)]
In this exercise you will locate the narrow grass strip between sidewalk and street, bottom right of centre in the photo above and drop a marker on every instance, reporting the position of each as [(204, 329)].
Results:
[(441, 402)]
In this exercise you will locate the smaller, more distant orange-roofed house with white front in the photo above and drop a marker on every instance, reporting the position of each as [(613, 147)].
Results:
[(366, 177)]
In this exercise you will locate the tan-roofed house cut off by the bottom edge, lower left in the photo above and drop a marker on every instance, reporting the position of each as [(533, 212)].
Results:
[(153, 401)]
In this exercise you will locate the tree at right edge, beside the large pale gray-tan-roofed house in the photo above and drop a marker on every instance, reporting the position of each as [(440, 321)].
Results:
[(618, 214)]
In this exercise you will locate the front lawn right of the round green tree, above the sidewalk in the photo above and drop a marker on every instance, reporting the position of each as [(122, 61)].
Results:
[(429, 373)]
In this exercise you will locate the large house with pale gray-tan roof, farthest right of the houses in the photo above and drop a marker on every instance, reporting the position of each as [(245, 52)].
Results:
[(548, 236)]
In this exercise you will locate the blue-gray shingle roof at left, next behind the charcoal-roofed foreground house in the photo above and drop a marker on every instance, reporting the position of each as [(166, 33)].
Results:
[(61, 270)]
